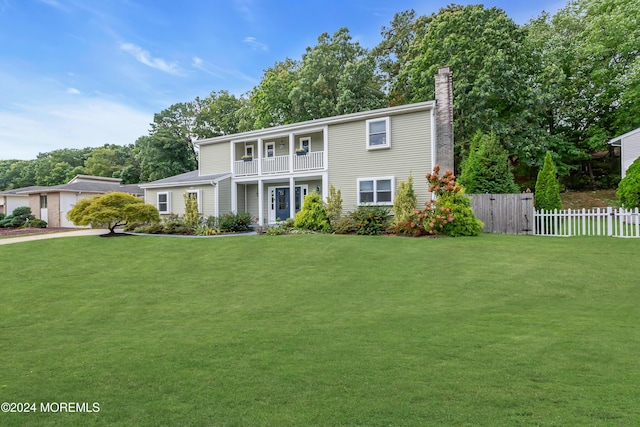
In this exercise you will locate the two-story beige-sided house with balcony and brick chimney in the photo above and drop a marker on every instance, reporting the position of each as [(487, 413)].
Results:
[(268, 172)]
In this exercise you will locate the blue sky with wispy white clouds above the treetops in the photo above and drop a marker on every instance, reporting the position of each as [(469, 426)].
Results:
[(79, 73)]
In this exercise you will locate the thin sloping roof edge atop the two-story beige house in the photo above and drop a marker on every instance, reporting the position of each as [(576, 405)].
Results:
[(401, 109)]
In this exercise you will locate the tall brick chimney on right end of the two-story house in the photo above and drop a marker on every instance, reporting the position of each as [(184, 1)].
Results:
[(444, 119)]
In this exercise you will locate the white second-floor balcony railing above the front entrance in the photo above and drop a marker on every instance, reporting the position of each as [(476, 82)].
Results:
[(280, 164)]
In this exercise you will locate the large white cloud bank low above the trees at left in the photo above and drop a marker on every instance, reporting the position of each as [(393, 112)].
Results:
[(27, 130)]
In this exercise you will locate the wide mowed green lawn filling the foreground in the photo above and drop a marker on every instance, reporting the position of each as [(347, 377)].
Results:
[(323, 330)]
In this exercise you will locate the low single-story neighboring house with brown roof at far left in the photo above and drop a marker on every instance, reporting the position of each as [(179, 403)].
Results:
[(52, 203)]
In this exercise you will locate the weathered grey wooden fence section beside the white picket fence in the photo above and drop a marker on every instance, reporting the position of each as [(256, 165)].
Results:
[(504, 213)]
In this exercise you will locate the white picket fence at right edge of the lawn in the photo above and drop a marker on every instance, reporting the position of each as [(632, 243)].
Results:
[(617, 222)]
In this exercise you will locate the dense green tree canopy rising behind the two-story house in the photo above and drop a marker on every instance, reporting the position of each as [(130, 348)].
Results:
[(565, 83)]
